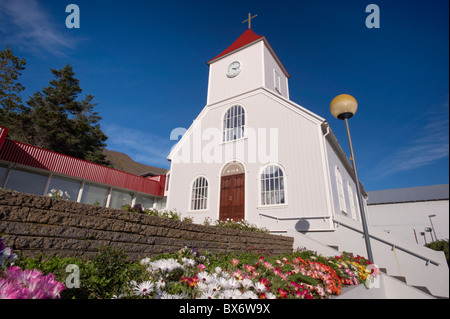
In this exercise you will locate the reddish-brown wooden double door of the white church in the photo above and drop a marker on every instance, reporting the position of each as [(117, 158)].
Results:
[(232, 197)]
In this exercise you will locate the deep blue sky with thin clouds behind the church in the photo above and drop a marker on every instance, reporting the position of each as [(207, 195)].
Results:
[(145, 63)]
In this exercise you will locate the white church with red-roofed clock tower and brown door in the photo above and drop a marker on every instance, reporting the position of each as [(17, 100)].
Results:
[(253, 154)]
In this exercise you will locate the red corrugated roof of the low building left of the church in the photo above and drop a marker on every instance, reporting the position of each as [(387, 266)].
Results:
[(24, 154)]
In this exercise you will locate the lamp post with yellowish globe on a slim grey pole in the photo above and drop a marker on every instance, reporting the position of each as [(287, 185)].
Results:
[(343, 107)]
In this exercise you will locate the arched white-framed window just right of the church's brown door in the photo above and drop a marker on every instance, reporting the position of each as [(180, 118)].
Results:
[(272, 186)]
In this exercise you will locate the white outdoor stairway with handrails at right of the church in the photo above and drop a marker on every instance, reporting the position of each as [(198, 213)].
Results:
[(421, 267)]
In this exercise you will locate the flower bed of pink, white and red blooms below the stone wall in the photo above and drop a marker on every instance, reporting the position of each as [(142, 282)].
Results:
[(189, 274)]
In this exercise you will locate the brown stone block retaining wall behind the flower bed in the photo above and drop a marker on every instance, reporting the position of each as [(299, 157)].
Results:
[(42, 225)]
